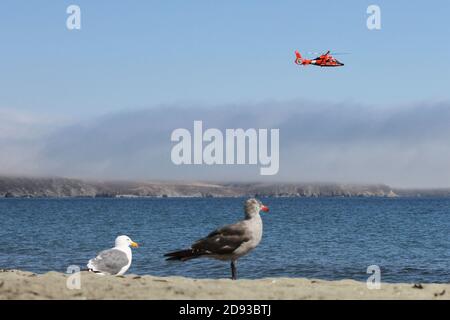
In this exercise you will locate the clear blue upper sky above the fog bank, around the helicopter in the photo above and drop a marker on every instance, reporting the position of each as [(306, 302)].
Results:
[(143, 53)]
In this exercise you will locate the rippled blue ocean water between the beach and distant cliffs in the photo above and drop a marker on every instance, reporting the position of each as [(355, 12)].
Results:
[(325, 238)]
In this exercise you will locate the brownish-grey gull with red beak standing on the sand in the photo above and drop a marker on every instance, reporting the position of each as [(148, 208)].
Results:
[(230, 242)]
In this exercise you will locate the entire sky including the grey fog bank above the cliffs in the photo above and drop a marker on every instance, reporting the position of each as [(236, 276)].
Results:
[(102, 102)]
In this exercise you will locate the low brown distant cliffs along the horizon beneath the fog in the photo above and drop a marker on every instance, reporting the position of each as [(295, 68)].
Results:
[(64, 187)]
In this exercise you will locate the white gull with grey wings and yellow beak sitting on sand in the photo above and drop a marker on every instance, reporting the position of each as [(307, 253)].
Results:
[(114, 261)]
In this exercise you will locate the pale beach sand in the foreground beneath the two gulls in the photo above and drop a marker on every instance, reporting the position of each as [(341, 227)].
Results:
[(15, 284)]
